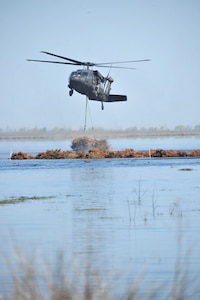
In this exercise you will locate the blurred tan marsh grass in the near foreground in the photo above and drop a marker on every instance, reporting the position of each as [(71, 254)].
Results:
[(36, 280)]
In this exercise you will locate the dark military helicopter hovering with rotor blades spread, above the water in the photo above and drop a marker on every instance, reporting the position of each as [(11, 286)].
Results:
[(91, 82)]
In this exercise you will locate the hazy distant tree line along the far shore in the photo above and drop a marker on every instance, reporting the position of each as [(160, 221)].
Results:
[(63, 133)]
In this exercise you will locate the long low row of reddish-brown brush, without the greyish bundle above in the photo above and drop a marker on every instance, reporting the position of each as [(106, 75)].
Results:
[(100, 153)]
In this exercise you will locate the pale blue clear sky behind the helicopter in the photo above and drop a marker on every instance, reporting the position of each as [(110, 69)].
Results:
[(162, 92)]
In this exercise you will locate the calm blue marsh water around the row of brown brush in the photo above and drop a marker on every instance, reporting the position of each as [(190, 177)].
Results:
[(130, 217)]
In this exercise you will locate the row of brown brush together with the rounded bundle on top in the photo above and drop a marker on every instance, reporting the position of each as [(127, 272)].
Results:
[(85, 147)]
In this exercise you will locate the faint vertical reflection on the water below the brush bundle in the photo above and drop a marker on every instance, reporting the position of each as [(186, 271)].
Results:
[(91, 208)]
